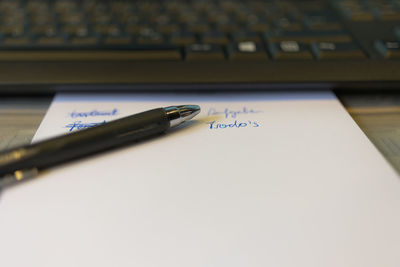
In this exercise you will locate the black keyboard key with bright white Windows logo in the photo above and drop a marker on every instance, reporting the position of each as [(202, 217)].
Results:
[(247, 51)]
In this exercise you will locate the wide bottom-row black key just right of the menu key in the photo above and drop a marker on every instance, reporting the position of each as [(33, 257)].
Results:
[(328, 50)]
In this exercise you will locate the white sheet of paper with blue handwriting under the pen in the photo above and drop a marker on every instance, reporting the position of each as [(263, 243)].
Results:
[(263, 179)]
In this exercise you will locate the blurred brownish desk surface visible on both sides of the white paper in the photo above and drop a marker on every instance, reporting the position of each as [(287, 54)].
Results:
[(378, 115)]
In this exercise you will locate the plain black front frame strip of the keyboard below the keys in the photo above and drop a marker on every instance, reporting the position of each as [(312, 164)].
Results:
[(50, 77)]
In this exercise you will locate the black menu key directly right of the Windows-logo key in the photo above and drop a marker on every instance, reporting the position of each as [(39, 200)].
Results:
[(290, 50)]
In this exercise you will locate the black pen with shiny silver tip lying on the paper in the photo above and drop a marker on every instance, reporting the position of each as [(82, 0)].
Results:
[(26, 161)]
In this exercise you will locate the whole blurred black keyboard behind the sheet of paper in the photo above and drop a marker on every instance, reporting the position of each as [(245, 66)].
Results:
[(47, 46)]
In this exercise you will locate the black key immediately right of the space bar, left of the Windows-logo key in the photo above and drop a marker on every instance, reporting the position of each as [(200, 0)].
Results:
[(204, 52)]
